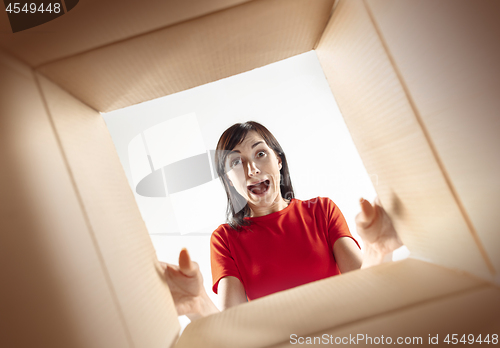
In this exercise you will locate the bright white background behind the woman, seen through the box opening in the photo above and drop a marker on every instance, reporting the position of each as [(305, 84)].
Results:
[(166, 147)]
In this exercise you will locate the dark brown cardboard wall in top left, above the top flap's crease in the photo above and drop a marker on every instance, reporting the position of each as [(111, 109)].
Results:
[(97, 23)]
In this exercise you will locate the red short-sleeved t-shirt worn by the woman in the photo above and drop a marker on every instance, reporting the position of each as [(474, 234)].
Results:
[(279, 251)]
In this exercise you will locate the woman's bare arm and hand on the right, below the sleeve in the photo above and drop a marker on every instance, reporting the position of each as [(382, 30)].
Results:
[(379, 237)]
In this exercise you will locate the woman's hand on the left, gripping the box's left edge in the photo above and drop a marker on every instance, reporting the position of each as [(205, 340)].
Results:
[(186, 286)]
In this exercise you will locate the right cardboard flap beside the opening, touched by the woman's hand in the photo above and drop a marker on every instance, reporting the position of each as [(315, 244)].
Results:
[(394, 144)]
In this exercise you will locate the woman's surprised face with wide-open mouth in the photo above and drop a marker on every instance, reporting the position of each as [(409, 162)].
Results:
[(253, 168)]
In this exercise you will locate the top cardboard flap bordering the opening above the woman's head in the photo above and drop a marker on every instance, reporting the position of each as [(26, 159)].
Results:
[(191, 53)]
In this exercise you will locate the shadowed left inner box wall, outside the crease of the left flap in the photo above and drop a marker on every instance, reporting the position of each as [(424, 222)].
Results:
[(53, 279)]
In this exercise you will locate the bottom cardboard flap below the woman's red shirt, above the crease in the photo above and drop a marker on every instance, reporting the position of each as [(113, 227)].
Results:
[(325, 304)]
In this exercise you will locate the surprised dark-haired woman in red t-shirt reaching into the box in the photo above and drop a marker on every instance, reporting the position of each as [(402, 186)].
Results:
[(272, 241)]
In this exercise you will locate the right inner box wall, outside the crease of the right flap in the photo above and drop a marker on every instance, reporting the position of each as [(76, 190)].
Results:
[(455, 96)]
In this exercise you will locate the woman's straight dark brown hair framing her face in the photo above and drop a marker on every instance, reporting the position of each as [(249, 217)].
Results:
[(237, 207)]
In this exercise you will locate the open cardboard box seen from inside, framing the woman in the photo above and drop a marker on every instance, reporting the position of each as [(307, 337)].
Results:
[(417, 83)]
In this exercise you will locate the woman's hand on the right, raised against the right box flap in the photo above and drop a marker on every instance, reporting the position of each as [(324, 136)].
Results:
[(375, 228)]
